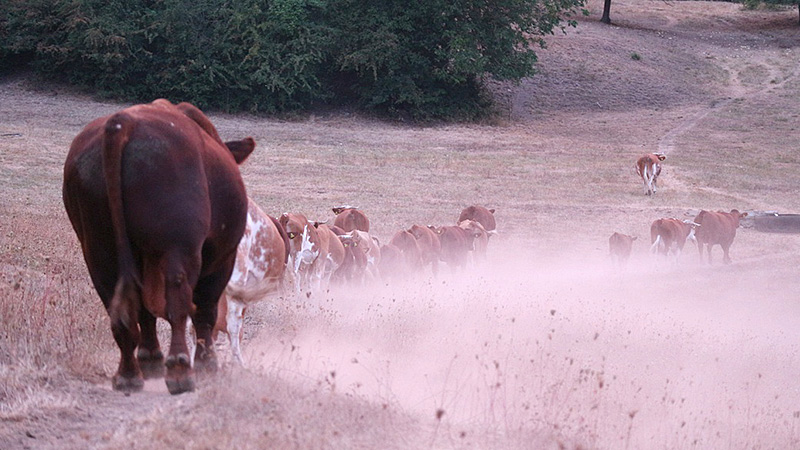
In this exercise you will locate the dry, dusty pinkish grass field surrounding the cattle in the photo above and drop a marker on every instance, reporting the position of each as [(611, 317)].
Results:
[(546, 345)]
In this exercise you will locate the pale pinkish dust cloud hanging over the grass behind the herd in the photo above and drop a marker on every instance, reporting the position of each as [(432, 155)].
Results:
[(660, 354)]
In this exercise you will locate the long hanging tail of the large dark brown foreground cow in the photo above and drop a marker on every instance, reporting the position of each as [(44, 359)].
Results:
[(115, 138)]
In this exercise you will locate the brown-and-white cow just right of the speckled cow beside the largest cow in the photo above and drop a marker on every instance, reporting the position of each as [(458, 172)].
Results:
[(304, 250)]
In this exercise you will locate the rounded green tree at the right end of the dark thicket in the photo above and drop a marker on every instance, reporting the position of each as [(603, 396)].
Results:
[(430, 58)]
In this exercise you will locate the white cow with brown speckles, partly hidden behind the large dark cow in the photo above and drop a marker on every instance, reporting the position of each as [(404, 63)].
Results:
[(259, 272)]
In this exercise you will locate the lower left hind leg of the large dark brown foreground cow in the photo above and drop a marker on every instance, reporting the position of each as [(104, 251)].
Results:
[(124, 311)]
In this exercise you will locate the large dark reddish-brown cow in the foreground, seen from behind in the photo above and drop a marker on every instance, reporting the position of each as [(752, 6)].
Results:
[(158, 204)]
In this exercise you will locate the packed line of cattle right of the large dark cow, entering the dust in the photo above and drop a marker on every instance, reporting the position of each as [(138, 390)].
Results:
[(292, 252)]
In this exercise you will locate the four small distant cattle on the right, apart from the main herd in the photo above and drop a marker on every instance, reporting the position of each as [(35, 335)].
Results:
[(668, 236)]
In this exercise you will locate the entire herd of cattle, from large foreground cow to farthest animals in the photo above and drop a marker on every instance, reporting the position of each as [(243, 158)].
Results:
[(167, 230)]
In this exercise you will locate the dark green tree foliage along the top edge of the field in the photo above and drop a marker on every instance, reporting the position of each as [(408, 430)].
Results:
[(423, 59)]
